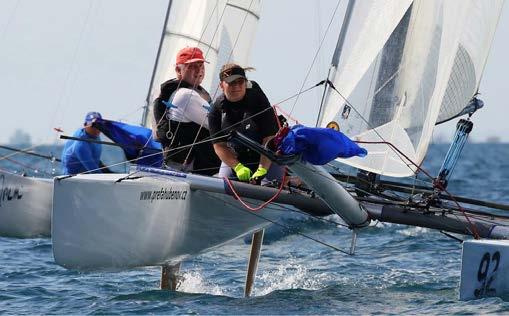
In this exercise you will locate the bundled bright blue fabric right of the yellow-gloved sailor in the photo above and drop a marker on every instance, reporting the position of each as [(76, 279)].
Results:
[(318, 146)]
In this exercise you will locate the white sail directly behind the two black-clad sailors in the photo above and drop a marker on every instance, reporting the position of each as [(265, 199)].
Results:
[(216, 27)]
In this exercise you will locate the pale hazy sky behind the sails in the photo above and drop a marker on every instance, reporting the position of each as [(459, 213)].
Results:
[(60, 59)]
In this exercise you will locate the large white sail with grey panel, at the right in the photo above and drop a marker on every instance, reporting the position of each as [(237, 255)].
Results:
[(405, 65)]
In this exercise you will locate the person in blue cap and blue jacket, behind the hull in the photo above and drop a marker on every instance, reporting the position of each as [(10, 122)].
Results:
[(80, 156)]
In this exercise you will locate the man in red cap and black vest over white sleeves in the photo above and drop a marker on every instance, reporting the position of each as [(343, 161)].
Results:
[(180, 113)]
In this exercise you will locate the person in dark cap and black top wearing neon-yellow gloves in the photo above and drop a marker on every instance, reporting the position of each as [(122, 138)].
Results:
[(243, 107)]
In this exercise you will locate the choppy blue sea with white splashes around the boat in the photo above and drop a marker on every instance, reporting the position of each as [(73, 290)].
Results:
[(396, 269)]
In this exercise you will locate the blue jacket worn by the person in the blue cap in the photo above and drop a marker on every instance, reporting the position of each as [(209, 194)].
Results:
[(81, 156)]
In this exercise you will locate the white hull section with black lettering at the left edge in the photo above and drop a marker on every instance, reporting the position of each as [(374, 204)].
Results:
[(25, 206)]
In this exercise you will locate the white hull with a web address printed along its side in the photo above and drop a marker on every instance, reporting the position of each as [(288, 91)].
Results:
[(101, 224)]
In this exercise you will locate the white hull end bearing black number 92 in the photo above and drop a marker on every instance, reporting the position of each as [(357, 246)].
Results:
[(484, 269)]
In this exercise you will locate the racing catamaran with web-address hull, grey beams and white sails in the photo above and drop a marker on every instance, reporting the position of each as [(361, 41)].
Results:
[(398, 69)]
